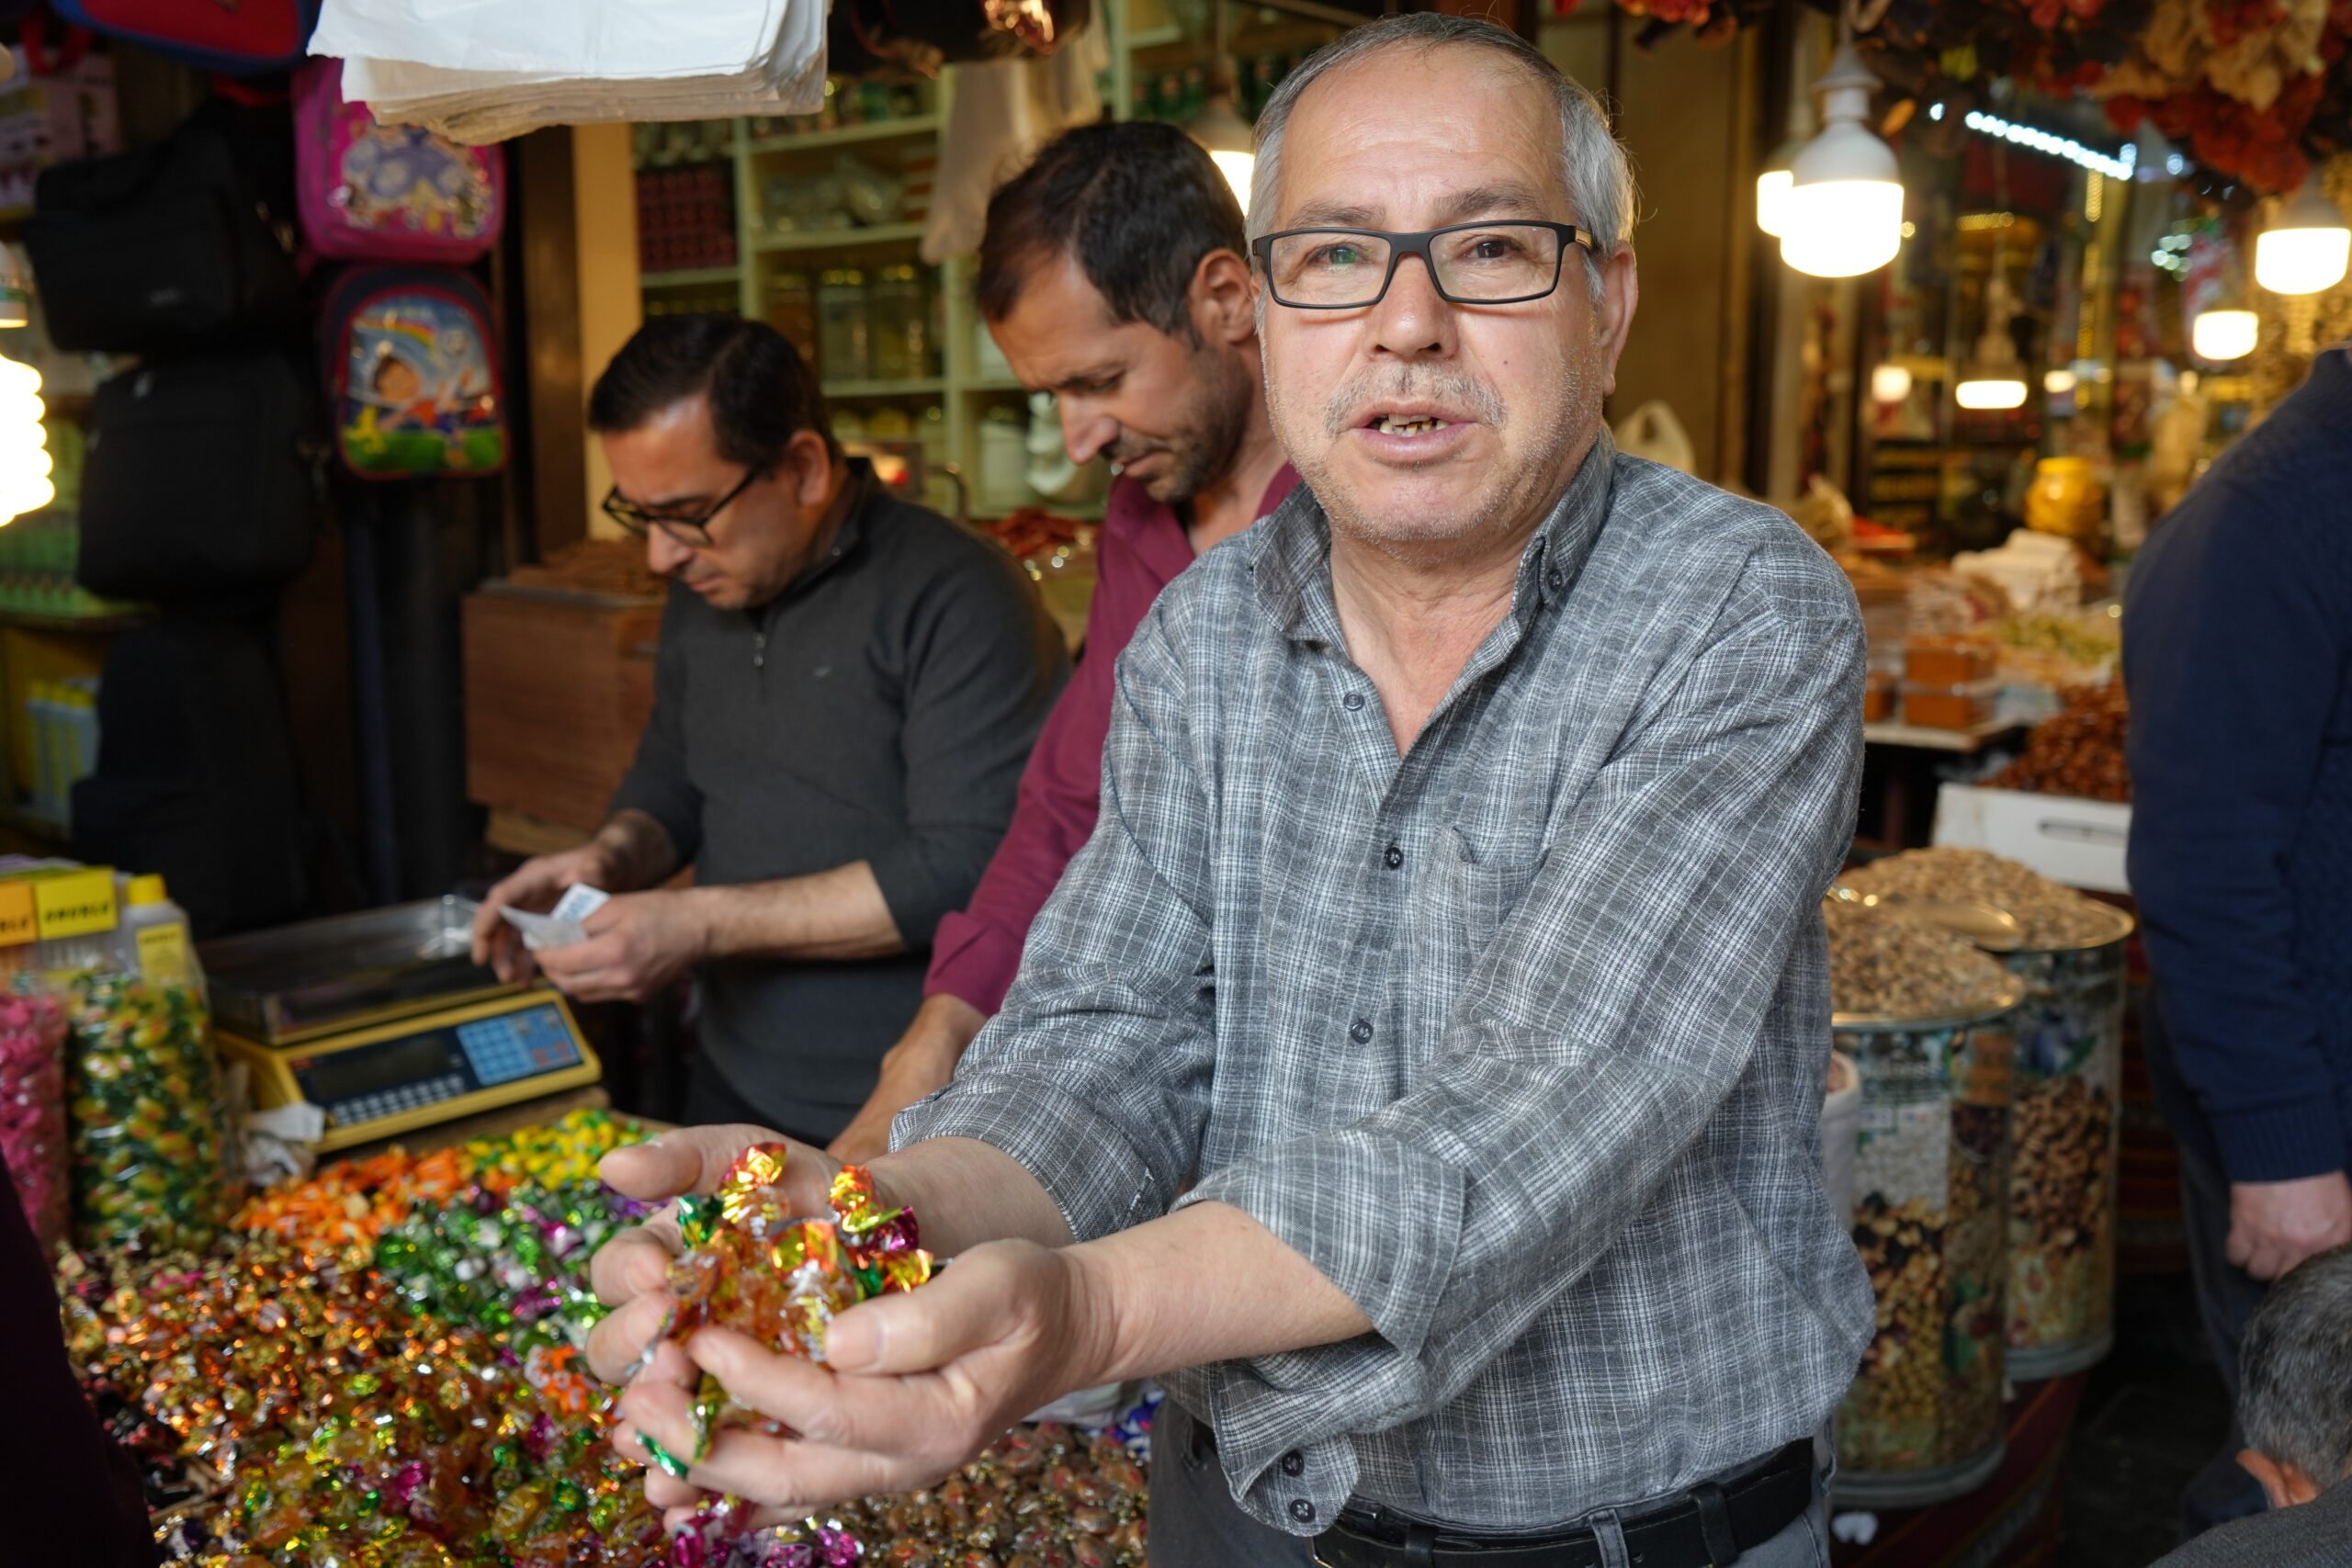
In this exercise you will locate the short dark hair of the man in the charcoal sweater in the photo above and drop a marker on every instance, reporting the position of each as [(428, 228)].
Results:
[(761, 391)]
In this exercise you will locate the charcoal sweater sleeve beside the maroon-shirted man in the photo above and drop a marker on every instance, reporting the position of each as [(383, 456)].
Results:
[(984, 664)]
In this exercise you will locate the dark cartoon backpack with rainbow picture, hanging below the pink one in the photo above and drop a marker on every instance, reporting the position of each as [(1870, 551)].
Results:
[(413, 373)]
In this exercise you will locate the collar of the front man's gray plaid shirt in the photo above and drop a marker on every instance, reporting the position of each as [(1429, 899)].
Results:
[(1292, 551)]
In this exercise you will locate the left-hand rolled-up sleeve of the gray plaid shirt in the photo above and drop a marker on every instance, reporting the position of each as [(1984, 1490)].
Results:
[(1095, 1076)]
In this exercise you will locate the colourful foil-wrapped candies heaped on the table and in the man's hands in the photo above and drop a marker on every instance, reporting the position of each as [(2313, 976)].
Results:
[(385, 1367)]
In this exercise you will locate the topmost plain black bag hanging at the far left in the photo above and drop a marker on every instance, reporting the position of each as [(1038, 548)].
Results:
[(180, 246)]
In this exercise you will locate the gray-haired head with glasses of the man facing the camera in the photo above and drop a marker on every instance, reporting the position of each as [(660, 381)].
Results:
[(1438, 330)]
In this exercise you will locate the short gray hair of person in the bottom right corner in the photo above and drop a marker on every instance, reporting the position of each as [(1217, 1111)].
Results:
[(2297, 1369)]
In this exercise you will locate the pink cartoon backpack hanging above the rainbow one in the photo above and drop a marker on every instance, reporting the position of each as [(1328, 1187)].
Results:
[(389, 192)]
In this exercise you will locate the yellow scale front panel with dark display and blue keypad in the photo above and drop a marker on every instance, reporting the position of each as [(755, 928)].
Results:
[(432, 1071)]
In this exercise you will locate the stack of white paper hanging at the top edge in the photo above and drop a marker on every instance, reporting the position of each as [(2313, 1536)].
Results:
[(490, 69)]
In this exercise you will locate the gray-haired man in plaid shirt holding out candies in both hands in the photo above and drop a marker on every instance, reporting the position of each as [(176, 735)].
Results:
[(1422, 1066)]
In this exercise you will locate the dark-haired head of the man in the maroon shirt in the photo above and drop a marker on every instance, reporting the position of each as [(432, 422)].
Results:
[(1142, 330)]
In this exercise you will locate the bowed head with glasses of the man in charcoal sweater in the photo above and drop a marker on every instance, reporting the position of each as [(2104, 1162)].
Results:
[(721, 455)]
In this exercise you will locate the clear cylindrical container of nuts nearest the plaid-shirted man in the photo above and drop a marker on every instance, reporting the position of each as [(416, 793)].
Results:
[(1923, 1421)]
